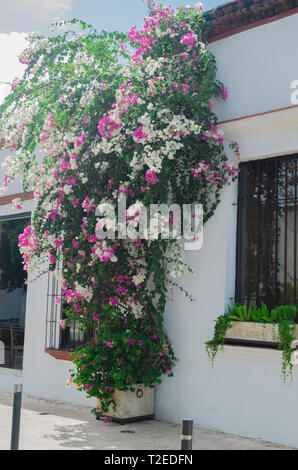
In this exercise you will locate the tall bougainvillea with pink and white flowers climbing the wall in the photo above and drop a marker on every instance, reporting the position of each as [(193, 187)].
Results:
[(97, 115)]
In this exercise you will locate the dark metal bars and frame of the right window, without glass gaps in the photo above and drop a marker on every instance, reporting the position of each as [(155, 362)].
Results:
[(242, 295)]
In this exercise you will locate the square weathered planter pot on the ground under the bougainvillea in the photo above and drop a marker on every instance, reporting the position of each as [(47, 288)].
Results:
[(132, 406)]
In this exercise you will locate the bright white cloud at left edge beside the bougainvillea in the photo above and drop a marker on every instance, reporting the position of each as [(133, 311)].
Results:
[(11, 45)]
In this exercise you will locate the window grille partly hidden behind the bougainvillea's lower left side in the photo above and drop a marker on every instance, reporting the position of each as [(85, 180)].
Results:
[(57, 337)]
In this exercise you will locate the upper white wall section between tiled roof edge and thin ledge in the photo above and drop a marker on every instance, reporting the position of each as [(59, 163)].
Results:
[(258, 67)]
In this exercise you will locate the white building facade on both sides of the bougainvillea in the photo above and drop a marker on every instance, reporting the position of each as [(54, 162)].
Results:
[(244, 393)]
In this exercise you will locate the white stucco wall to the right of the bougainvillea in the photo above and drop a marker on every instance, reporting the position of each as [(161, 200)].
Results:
[(244, 394)]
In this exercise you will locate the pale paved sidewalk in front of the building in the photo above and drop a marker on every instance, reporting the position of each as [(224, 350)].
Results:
[(56, 426)]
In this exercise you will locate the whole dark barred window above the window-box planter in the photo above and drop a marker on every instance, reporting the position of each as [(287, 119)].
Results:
[(266, 266)]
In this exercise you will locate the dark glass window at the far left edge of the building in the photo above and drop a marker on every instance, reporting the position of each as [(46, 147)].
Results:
[(13, 291)]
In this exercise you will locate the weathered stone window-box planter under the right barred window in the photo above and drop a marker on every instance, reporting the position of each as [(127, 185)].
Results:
[(254, 332)]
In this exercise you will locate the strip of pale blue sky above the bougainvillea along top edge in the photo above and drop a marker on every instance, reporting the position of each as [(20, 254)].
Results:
[(36, 15)]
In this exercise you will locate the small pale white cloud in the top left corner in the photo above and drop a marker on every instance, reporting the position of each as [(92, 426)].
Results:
[(40, 9)]
